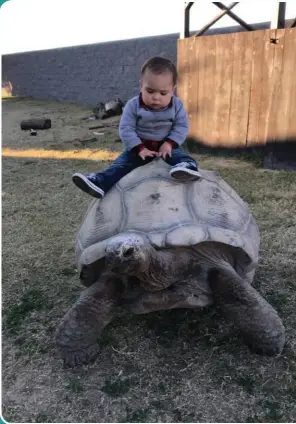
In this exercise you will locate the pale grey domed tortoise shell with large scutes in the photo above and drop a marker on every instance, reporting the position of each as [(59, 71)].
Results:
[(167, 213)]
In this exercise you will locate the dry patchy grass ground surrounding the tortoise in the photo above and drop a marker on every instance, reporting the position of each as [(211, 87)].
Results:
[(171, 366)]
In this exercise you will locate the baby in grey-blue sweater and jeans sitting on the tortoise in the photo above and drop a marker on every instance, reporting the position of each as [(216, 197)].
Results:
[(153, 124)]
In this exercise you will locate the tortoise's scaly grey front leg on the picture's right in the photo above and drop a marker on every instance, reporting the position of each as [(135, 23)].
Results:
[(259, 323)]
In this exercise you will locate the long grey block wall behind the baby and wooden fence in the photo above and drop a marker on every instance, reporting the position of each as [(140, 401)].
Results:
[(90, 73)]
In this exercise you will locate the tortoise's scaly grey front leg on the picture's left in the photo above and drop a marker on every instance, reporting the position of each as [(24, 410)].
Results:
[(76, 335)]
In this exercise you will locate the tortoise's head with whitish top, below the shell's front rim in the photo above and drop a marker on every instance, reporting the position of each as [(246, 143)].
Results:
[(127, 255)]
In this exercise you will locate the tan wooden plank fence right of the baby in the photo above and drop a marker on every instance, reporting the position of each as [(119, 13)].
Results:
[(239, 89)]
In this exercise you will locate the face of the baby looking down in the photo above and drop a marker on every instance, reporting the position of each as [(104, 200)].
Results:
[(157, 89)]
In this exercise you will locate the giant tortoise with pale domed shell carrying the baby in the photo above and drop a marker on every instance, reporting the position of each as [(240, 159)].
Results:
[(155, 243)]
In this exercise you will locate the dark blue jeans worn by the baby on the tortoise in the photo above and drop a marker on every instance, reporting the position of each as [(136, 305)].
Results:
[(128, 161)]
